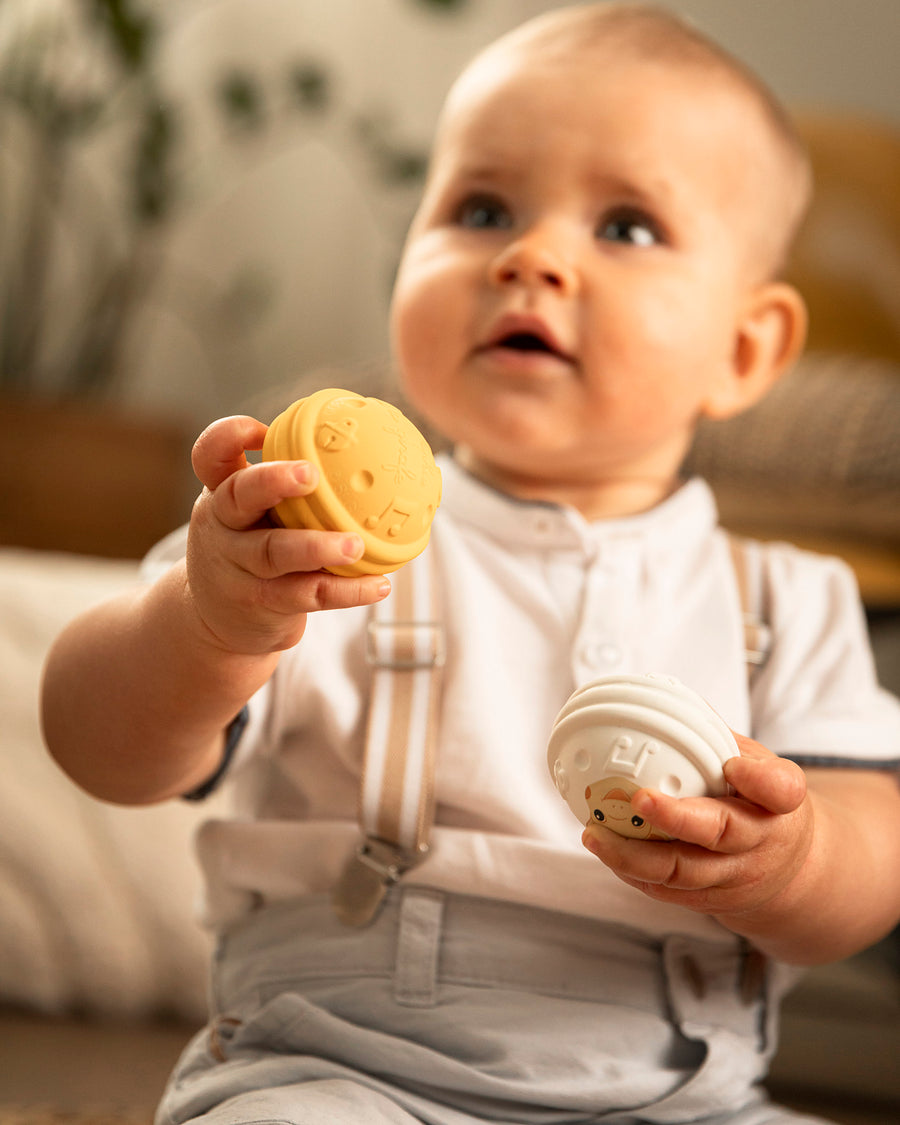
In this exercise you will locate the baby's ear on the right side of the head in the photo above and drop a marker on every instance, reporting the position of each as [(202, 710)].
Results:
[(770, 336)]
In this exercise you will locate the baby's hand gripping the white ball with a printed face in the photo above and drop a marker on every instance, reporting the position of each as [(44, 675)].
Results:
[(728, 856)]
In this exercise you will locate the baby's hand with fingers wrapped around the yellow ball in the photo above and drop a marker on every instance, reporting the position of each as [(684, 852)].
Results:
[(254, 583)]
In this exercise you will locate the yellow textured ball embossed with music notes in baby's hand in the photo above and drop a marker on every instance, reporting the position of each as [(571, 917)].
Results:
[(377, 475)]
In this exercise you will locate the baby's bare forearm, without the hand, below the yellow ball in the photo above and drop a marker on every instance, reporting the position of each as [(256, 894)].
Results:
[(138, 697)]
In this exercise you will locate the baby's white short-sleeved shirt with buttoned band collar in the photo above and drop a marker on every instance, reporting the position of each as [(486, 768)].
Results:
[(537, 602)]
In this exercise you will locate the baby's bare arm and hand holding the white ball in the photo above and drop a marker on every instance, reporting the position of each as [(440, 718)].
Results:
[(805, 866)]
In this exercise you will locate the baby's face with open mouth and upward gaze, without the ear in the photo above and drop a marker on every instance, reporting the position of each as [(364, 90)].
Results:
[(568, 301)]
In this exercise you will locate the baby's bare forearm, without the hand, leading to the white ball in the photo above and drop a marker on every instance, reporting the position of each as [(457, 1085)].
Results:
[(847, 896)]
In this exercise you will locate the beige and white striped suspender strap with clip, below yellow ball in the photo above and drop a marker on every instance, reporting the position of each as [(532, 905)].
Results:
[(406, 649)]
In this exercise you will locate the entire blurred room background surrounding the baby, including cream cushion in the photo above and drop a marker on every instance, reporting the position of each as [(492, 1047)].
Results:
[(202, 209)]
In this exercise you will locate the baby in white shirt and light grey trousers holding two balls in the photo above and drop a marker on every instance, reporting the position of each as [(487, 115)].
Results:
[(595, 267)]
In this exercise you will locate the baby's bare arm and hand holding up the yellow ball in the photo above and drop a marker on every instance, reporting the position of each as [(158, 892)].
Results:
[(139, 692)]
